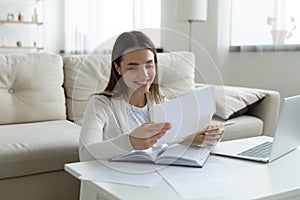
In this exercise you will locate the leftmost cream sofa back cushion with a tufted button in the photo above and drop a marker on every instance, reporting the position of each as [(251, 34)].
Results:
[(31, 88)]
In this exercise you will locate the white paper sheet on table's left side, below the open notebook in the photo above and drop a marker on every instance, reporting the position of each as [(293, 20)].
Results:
[(137, 174)]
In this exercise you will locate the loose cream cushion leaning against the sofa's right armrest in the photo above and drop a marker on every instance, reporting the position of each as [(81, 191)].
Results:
[(232, 102)]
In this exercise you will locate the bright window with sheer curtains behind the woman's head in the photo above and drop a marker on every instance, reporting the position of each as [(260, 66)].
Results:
[(90, 23)]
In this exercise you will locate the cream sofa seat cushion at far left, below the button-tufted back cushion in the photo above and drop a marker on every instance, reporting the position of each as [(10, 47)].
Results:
[(38, 147)]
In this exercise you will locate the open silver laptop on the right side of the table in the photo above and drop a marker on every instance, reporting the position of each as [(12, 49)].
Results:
[(263, 148)]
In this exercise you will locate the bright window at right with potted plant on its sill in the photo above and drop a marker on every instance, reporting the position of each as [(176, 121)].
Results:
[(265, 22)]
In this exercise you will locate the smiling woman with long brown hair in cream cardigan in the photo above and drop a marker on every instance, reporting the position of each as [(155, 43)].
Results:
[(117, 121)]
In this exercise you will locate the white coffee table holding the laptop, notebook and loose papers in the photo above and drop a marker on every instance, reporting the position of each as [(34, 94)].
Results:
[(279, 179)]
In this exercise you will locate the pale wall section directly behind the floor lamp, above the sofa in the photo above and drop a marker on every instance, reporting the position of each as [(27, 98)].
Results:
[(203, 43)]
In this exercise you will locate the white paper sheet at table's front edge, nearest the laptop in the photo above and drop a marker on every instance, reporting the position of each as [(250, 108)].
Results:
[(204, 182)]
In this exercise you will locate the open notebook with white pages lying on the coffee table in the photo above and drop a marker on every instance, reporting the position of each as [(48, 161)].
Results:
[(176, 154)]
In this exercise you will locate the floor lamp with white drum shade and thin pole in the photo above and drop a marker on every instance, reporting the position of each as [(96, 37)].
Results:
[(191, 11)]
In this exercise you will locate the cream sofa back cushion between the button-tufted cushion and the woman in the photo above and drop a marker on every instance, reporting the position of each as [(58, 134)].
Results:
[(84, 75)]
